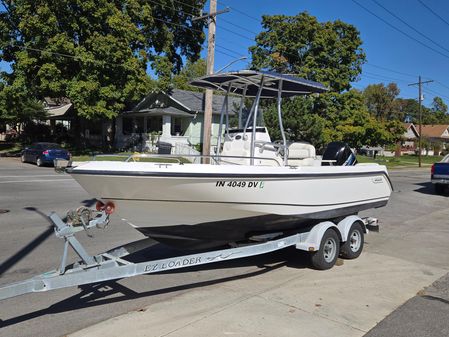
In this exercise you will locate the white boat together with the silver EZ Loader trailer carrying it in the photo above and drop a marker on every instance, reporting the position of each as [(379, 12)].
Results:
[(256, 195)]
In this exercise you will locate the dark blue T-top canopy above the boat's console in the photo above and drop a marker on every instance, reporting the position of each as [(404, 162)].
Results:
[(237, 80)]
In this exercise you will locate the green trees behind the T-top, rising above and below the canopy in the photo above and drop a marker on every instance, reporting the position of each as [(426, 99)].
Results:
[(327, 52)]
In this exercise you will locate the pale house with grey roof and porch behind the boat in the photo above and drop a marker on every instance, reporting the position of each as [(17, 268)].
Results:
[(175, 117)]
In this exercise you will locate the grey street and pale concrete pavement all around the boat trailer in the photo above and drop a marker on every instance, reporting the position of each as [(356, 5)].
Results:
[(271, 295)]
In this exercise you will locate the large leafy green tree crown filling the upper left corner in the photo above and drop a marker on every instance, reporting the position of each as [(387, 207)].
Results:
[(96, 52)]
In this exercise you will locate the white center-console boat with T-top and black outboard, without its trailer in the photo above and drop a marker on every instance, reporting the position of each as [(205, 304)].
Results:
[(248, 187)]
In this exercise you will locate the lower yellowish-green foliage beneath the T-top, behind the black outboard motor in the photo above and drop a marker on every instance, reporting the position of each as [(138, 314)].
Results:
[(344, 118)]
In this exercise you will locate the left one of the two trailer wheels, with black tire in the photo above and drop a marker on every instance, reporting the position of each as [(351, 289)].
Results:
[(327, 255)]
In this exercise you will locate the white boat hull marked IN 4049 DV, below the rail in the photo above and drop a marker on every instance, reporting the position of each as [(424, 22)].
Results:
[(226, 202)]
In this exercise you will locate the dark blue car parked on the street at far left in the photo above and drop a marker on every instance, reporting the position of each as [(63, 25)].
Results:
[(44, 153)]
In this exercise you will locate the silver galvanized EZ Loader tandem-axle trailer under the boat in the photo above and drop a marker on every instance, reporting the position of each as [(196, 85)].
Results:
[(322, 240)]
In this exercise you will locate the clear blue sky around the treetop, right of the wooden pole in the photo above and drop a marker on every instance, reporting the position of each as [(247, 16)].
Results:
[(402, 39)]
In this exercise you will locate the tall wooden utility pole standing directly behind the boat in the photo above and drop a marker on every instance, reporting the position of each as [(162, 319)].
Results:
[(207, 123)]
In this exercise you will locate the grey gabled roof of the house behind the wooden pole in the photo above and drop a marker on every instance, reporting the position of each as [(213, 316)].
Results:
[(181, 103)]
